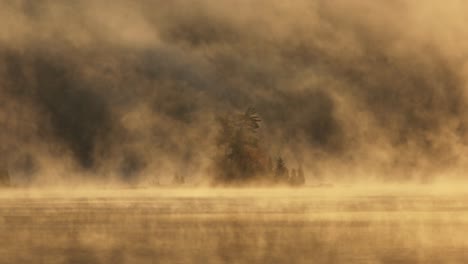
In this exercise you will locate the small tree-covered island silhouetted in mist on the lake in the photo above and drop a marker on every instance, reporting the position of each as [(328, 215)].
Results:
[(242, 159)]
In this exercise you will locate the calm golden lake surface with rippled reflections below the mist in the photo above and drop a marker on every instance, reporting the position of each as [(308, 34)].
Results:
[(232, 226)]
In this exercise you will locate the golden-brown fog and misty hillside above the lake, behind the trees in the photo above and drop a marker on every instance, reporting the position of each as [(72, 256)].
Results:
[(129, 91)]
